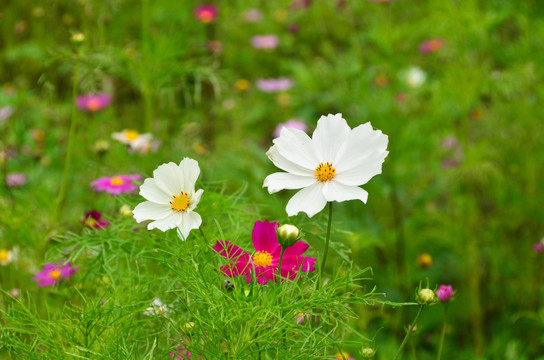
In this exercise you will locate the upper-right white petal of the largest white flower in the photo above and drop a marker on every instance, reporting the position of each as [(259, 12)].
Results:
[(362, 143)]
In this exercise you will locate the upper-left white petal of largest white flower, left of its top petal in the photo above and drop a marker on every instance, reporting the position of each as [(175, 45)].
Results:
[(296, 146)]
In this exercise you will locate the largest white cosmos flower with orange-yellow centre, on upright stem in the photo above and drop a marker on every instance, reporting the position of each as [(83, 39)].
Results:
[(330, 166)]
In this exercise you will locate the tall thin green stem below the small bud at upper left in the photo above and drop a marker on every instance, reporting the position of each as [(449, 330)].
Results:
[(71, 139)]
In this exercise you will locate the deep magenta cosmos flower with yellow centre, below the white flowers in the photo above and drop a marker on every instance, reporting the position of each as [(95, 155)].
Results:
[(264, 263)]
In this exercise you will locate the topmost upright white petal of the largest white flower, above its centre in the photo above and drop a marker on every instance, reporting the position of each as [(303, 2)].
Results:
[(331, 132)]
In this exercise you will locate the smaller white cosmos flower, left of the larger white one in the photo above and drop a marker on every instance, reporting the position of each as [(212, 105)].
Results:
[(171, 198)]
